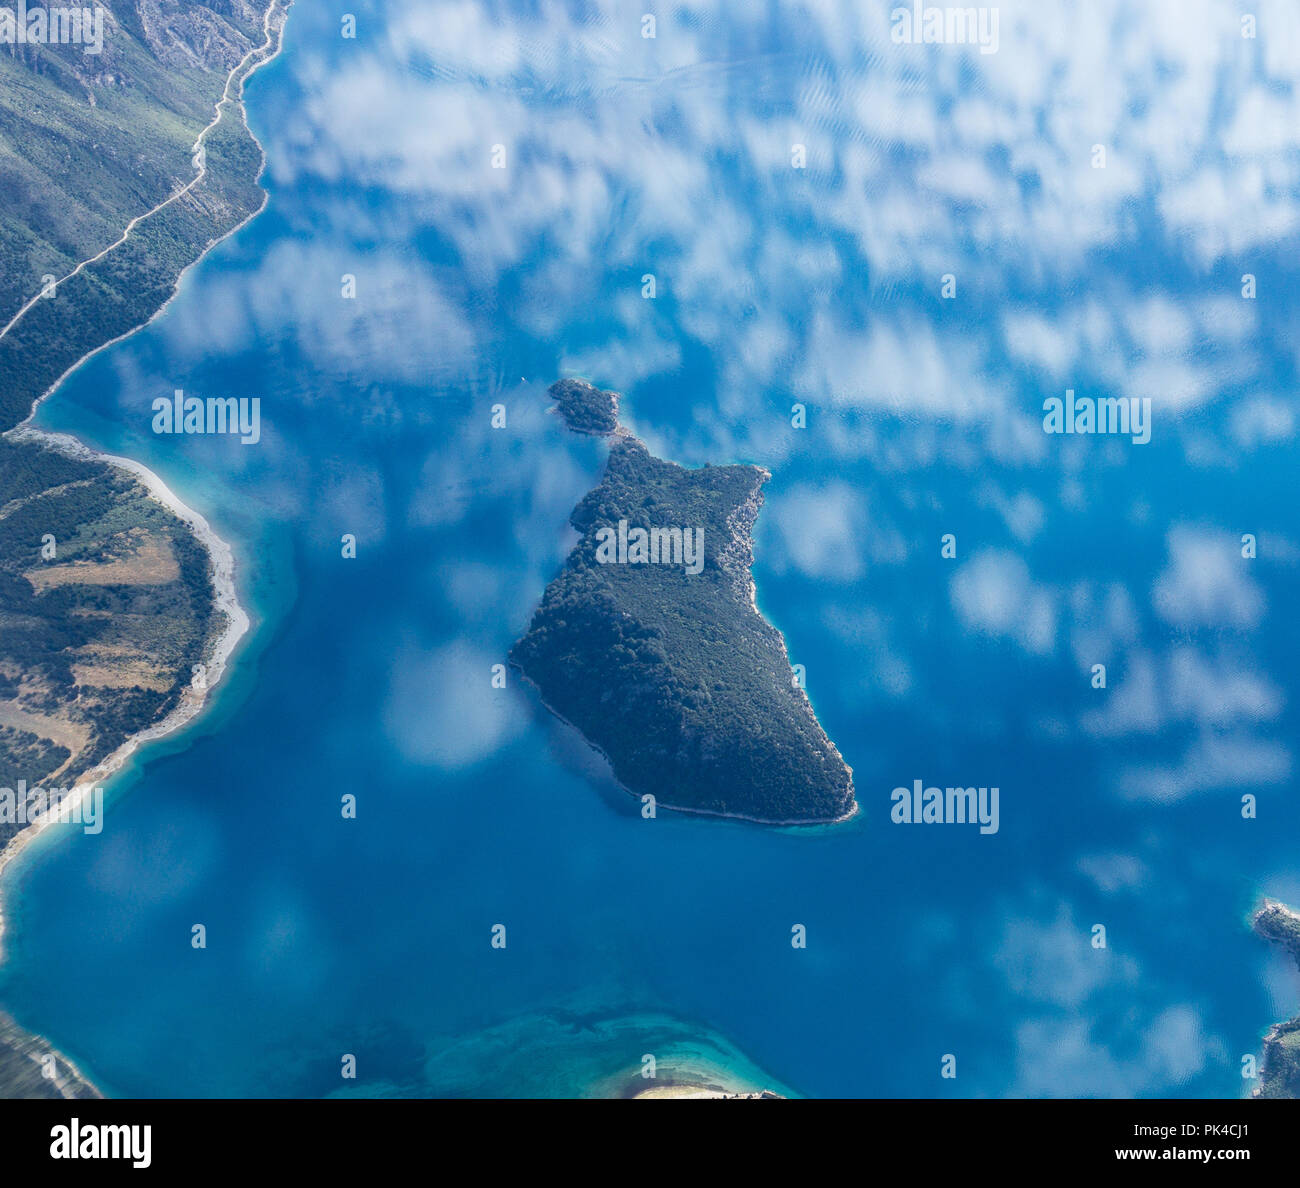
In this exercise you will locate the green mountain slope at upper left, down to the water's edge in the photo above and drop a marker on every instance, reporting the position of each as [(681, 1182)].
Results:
[(88, 145)]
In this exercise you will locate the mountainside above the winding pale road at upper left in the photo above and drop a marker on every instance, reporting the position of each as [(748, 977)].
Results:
[(90, 141)]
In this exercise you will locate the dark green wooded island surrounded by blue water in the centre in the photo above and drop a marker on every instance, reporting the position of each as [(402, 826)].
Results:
[(674, 675)]
